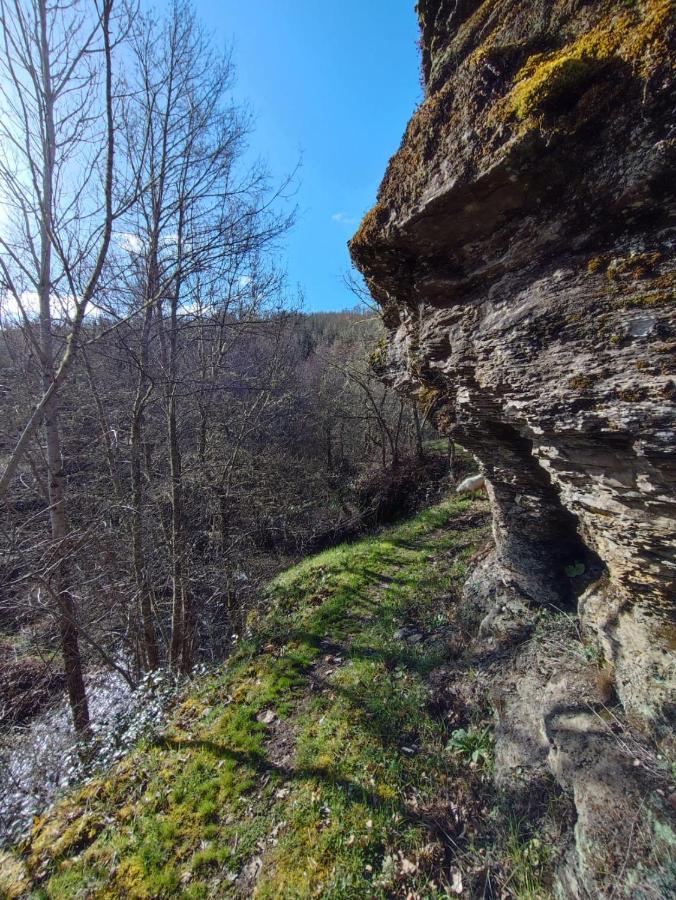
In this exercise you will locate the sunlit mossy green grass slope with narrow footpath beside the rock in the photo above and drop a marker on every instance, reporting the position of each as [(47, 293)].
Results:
[(335, 795)]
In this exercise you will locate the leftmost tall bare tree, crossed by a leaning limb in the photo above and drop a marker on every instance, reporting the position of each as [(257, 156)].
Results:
[(56, 185)]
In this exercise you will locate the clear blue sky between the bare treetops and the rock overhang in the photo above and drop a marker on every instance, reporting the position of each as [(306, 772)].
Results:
[(335, 83)]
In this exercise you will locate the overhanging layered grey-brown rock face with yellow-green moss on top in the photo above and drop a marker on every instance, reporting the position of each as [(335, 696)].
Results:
[(521, 250)]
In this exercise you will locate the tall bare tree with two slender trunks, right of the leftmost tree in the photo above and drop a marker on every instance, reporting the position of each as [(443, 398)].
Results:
[(199, 221)]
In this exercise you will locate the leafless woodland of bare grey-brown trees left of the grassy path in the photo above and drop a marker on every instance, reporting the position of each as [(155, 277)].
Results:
[(175, 429)]
